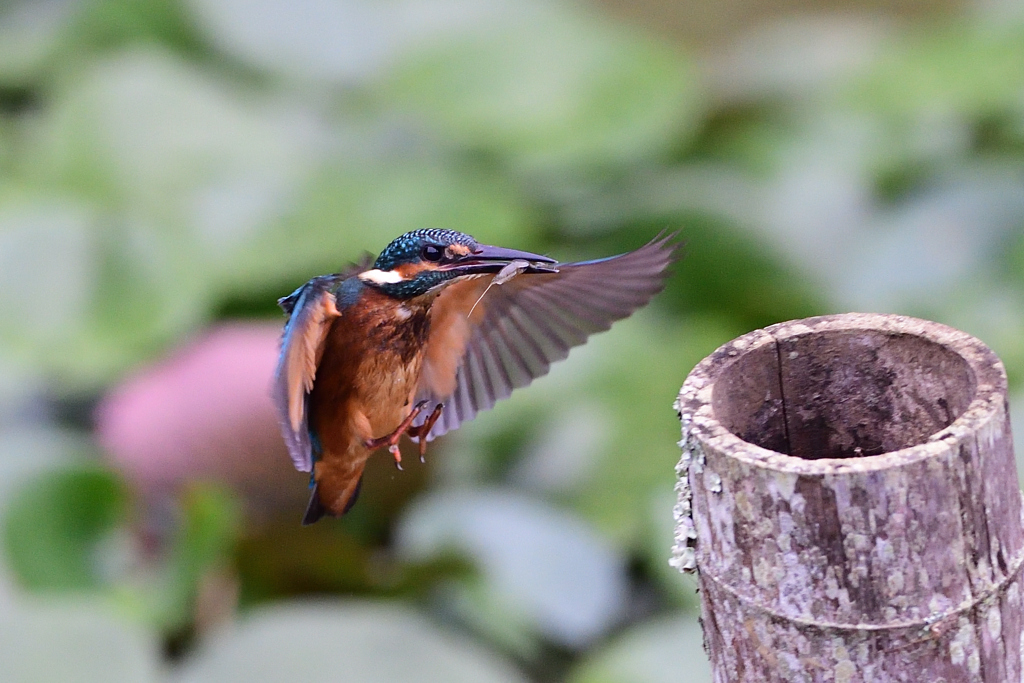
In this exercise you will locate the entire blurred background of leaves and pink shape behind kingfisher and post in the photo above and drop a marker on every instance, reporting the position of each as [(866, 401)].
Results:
[(169, 168)]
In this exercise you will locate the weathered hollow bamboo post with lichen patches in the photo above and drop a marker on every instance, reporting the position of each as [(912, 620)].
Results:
[(849, 497)]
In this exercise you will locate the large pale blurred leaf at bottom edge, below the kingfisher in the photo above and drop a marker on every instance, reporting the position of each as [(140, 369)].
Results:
[(364, 643)]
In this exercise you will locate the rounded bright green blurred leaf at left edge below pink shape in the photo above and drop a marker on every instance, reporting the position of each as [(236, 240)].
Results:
[(55, 525)]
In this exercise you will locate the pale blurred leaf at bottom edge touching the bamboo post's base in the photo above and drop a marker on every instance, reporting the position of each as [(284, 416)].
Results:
[(665, 651)]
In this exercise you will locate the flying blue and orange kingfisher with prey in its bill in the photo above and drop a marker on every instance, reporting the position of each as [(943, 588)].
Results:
[(436, 330)]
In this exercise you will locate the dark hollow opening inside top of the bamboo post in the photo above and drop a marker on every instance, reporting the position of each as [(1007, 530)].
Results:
[(843, 394)]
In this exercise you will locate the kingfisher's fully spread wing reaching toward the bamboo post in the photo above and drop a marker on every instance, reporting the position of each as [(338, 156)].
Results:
[(522, 327)]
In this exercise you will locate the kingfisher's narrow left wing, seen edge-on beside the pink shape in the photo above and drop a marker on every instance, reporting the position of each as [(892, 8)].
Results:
[(312, 310)]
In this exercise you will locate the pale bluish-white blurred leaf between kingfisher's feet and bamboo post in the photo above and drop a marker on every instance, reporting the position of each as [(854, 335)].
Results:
[(542, 570)]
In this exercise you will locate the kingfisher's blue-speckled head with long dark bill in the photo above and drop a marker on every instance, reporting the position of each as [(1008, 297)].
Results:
[(426, 261)]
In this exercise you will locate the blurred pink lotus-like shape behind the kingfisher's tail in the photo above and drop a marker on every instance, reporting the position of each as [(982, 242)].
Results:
[(205, 414)]
